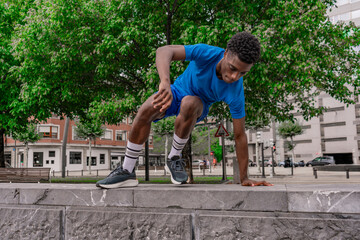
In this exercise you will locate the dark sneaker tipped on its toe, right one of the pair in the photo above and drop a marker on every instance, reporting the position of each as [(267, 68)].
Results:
[(176, 166)]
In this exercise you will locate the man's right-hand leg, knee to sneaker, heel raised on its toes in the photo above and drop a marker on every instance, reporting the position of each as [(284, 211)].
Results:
[(190, 110)]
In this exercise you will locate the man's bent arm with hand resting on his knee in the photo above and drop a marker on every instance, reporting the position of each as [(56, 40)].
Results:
[(164, 56)]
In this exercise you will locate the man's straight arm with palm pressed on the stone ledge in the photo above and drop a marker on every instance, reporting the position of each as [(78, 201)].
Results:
[(242, 154)]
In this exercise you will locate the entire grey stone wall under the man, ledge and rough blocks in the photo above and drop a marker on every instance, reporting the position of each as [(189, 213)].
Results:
[(162, 211)]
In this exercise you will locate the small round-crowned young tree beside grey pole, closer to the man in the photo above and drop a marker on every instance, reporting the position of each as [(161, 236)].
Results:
[(89, 129)]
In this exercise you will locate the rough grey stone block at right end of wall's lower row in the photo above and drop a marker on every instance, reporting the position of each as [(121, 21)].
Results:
[(247, 225)]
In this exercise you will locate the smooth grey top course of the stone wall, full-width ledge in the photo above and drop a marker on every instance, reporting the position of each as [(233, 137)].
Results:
[(280, 198)]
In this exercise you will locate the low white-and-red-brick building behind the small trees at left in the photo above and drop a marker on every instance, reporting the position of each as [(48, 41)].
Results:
[(107, 151)]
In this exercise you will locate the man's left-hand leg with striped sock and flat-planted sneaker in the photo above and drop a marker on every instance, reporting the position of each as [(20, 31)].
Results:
[(125, 176)]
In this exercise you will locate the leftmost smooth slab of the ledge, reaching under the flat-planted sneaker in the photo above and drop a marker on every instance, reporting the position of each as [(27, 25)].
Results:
[(64, 194)]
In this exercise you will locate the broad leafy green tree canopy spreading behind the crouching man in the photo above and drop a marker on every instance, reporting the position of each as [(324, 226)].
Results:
[(100, 54)]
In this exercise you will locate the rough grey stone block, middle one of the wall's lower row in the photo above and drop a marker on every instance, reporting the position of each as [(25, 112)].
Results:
[(87, 223)]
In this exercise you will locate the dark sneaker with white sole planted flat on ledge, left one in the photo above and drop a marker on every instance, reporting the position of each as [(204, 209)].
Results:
[(119, 178)]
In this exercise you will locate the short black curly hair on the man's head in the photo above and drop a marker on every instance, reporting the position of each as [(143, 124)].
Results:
[(245, 46)]
